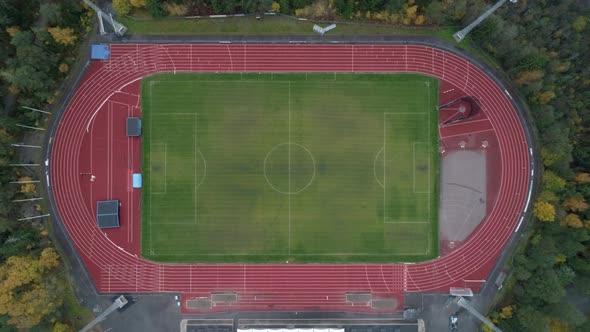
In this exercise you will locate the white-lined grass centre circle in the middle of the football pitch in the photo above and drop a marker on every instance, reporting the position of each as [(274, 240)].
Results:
[(289, 168)]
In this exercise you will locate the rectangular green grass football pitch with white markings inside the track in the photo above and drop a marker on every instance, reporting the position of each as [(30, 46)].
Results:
[(290, 167)]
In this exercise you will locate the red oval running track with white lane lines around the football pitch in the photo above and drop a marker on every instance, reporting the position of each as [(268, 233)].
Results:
[(290, 286)]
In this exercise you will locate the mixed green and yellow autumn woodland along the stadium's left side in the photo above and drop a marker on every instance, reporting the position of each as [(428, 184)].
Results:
[(39, 41)]
